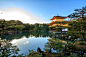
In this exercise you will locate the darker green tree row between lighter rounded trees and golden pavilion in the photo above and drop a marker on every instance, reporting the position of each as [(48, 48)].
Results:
[(36, 27)]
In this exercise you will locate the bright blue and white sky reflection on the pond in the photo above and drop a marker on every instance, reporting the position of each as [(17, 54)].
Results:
[(30, 43)]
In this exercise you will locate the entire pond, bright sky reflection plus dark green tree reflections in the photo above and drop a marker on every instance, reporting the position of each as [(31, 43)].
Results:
[(28, 40)]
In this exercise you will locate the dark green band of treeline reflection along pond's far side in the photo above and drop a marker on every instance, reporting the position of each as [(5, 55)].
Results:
[(26, 34)]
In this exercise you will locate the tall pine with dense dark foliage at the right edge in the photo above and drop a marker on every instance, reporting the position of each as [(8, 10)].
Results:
[(78, 27)]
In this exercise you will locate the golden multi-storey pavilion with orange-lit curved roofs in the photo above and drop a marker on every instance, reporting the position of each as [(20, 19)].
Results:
[(56, 19)]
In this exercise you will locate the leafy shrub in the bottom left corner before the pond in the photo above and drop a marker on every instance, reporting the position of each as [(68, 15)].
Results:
[(6, 49)]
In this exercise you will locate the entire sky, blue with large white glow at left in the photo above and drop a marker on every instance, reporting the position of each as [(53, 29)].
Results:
[(38, 11)]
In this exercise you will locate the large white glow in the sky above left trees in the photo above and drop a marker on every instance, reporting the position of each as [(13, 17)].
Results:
[(19, 14)]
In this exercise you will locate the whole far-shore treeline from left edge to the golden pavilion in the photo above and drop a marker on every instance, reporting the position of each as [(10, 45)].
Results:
[(14, 26)]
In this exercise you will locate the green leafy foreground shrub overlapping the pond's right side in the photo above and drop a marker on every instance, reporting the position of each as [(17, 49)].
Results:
[(54, 43)]
